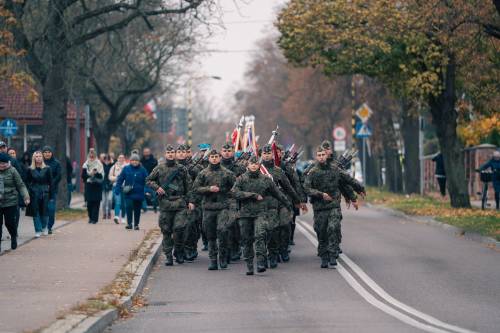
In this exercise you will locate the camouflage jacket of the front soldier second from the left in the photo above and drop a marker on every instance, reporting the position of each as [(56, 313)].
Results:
[(214, 175)]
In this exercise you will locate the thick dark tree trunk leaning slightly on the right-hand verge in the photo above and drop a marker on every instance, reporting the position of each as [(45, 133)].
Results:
[(444, 117)]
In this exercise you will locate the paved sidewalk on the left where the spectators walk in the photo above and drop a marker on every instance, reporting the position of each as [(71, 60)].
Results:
[(46, 277)]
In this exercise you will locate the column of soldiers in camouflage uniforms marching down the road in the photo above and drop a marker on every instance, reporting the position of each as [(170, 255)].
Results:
[(237, 210)]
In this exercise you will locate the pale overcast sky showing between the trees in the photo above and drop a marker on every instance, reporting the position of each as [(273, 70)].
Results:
[(243, 27)]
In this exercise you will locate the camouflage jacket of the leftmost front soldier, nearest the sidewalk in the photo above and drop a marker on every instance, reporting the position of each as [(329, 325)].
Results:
[(177, 191)]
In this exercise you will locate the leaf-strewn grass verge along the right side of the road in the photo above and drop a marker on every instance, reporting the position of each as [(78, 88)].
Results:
[(485, 222)]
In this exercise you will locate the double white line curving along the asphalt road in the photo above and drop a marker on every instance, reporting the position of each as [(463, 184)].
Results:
[(377, 289)]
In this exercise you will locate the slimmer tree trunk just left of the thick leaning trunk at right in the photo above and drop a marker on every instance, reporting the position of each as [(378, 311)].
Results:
[(410, 132)]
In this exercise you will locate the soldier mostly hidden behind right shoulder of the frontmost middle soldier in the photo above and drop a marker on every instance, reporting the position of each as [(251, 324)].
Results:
[(279, 215)]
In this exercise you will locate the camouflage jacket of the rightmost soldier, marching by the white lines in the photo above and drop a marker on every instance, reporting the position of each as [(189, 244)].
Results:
[(326, 178)]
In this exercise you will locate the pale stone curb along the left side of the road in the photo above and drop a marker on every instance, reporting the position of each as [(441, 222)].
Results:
[(100, 321)]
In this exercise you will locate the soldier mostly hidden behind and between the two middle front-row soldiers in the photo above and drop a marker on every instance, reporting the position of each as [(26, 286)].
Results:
[(234, 237)]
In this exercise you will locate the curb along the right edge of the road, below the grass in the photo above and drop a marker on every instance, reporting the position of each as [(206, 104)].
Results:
[(455, 231)]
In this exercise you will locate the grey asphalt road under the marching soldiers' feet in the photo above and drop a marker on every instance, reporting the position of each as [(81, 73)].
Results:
[(394, 276)]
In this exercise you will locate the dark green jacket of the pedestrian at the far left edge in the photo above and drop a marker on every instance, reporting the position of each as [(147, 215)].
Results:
[(11, 185)]
